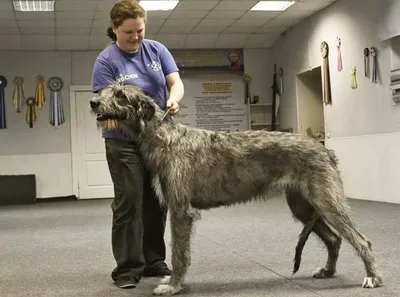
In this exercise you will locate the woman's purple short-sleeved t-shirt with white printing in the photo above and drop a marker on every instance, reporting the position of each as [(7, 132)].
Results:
[(146, 69)]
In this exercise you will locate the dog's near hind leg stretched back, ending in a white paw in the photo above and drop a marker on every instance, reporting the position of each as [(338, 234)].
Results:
[(327, 197)]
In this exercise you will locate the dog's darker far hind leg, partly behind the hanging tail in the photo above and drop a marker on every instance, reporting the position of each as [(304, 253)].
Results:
[(304, 212)]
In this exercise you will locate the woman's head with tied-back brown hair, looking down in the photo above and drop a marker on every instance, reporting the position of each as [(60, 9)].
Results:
[(128, 21)]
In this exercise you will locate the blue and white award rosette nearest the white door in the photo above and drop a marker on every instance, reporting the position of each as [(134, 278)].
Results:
[(56, 109)]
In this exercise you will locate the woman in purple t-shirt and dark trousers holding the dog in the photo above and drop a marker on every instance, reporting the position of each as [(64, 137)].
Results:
[(138, 221)]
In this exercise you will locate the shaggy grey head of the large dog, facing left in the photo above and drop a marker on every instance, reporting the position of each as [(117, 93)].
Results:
[(125, 104)]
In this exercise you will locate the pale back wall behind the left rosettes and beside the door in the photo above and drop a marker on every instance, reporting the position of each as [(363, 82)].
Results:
[(46, 151)]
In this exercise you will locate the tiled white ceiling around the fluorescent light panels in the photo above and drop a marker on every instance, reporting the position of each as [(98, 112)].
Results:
[(81, 25)]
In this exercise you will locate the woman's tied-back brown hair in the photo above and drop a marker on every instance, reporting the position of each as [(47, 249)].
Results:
[(123, 10)]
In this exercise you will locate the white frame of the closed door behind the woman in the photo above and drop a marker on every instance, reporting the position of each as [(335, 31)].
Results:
[(73, 89)]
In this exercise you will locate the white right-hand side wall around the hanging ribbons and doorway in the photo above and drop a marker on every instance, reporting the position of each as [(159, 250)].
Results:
[(361, 122)]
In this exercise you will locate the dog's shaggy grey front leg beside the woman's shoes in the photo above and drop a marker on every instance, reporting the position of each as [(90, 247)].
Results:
[(181, 228)]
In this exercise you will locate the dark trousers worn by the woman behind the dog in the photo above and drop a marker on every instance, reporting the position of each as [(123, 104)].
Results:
[(138, 223)]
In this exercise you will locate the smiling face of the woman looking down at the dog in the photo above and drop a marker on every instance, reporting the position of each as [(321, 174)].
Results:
[(130, 34)]
